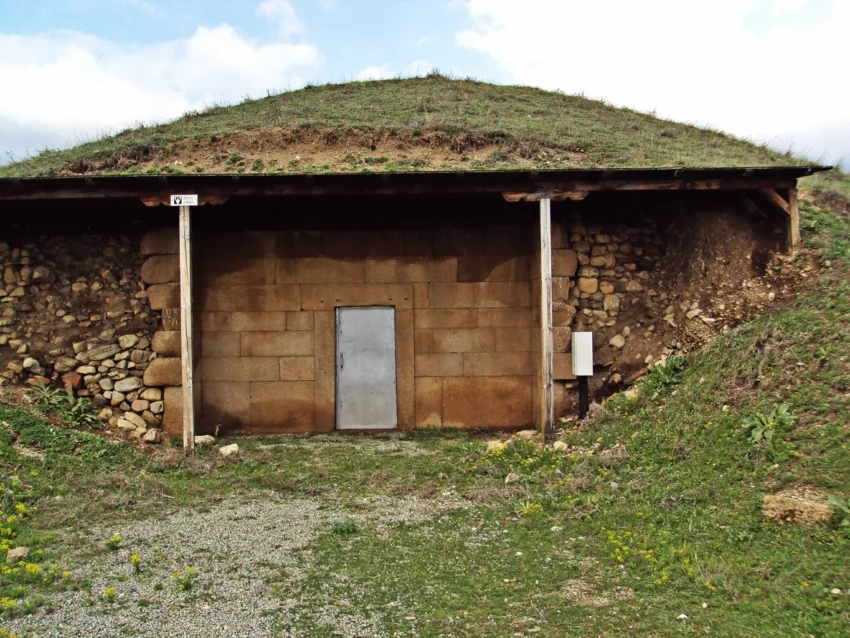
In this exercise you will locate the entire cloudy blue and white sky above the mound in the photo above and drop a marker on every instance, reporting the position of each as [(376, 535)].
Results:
[(769, 70)]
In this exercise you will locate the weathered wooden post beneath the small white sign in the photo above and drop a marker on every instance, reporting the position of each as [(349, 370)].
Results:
[(186, 330)]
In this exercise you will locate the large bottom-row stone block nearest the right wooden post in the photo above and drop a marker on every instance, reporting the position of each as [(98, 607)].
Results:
[(497, 402)]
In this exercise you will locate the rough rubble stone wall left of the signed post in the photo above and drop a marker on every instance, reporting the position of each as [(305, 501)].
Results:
[(73, 312)]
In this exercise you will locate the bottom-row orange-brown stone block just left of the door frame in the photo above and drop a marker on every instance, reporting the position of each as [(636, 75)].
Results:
[(286, 406)]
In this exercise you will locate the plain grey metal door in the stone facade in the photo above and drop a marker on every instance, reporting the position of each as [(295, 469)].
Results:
[(365, 368)]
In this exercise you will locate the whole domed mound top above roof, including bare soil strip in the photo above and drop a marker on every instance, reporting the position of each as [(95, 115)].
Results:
[(430, 123)]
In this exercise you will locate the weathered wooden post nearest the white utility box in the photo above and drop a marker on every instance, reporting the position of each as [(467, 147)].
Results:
[(547, 396)]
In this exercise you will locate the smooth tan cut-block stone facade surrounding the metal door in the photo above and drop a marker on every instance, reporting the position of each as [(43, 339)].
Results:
[(265, 303)]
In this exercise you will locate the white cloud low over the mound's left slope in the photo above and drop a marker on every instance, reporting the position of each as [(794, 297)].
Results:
[(69, 86)]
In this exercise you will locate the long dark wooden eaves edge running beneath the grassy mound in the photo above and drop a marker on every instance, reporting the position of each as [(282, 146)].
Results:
[(513, 185)]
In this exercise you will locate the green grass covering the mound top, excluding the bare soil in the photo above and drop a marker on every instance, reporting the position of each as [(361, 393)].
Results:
[(600, 134)]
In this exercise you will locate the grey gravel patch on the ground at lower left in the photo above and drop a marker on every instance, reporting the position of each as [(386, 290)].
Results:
[(235, 546)]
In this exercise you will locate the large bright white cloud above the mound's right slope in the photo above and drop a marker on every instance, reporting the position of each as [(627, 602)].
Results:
[(690, 61)]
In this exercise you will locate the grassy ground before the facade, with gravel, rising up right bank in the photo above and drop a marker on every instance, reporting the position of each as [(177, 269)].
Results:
[(647, 523)]
